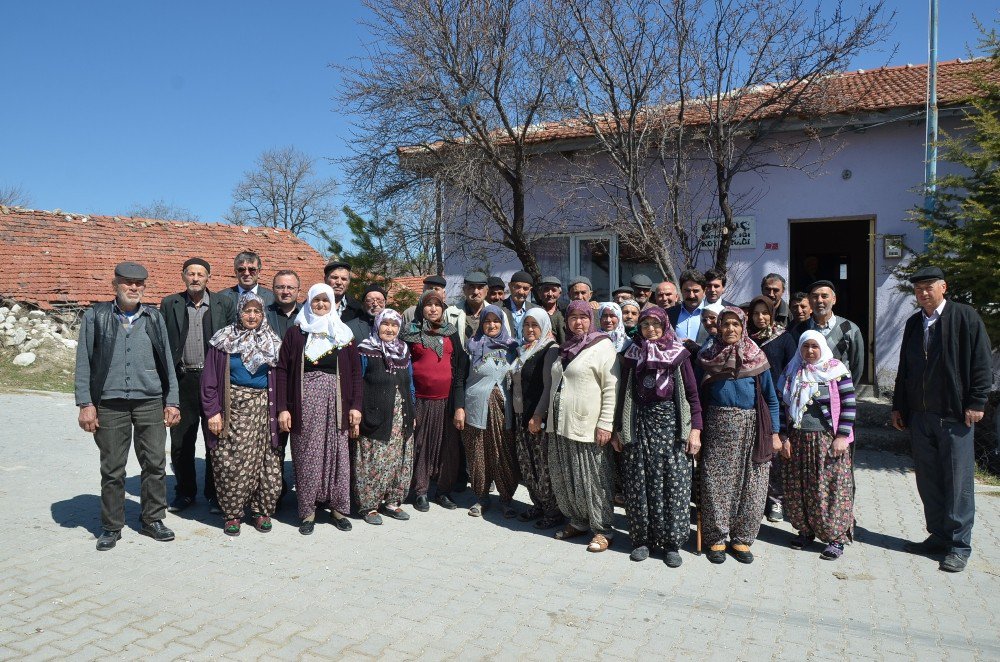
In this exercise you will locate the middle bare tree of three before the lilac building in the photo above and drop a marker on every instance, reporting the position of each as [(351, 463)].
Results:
[(628, 80)]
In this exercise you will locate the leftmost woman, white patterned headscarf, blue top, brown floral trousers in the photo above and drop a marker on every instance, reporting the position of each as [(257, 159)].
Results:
[(238, 396)]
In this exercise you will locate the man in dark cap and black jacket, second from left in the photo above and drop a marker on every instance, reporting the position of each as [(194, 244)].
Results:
[(192, 317)]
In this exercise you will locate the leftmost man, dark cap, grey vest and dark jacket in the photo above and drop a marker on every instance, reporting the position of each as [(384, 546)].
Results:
[(125, 386)]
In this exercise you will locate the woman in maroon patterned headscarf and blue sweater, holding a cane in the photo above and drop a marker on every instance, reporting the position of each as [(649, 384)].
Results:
[(741, 423)]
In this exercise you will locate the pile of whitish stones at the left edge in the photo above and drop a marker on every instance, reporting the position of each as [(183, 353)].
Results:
[(26, 332)]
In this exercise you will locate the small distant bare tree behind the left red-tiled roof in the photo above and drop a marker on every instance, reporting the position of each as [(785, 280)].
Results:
[(283, 191)]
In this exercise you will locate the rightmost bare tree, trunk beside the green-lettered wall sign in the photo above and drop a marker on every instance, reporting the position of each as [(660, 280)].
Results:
[(761, 63)]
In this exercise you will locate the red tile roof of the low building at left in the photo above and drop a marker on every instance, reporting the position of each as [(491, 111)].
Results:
[(53, 258)]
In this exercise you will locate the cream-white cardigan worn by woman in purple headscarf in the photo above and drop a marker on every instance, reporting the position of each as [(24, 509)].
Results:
[(587, 395)]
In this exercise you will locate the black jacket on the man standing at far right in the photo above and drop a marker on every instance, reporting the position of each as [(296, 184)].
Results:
[(966, 360)]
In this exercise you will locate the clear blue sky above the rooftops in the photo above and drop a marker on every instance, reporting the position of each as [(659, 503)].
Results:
[(112, 103)]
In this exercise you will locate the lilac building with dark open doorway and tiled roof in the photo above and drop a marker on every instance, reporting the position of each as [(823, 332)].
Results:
[(844, 222)]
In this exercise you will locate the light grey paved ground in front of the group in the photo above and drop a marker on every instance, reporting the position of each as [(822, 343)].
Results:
[(444, 585)]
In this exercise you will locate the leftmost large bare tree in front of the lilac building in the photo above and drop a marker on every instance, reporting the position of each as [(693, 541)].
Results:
[(463, 84)]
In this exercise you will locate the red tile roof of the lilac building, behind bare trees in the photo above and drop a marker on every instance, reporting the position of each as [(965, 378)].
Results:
[(859, 91)]
